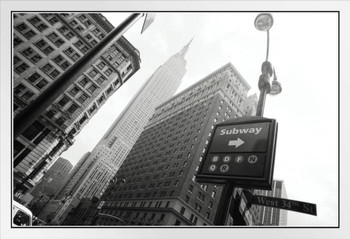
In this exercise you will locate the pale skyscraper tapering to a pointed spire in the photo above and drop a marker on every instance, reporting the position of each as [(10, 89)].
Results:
[(110, 152)]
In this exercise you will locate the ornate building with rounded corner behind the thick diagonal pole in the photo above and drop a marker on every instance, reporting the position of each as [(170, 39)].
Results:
[(44, 46)]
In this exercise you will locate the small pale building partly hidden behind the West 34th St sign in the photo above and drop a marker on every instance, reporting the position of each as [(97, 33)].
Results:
[(270, 216)]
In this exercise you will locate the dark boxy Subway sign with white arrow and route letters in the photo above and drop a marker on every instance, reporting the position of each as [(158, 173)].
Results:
[(241, 151)]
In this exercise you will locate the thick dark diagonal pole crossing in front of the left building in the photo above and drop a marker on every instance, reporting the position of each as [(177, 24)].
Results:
[(37, 107)]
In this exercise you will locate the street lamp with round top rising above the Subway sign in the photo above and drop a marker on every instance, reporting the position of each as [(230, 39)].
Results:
[(263, 22)]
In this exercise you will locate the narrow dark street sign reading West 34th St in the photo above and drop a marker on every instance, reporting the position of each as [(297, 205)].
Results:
[(292, 205)]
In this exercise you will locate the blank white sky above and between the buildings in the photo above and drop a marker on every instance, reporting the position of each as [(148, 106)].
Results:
[(305, 57)]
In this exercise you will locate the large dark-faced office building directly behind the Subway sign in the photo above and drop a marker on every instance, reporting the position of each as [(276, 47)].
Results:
[(157, 179)]
